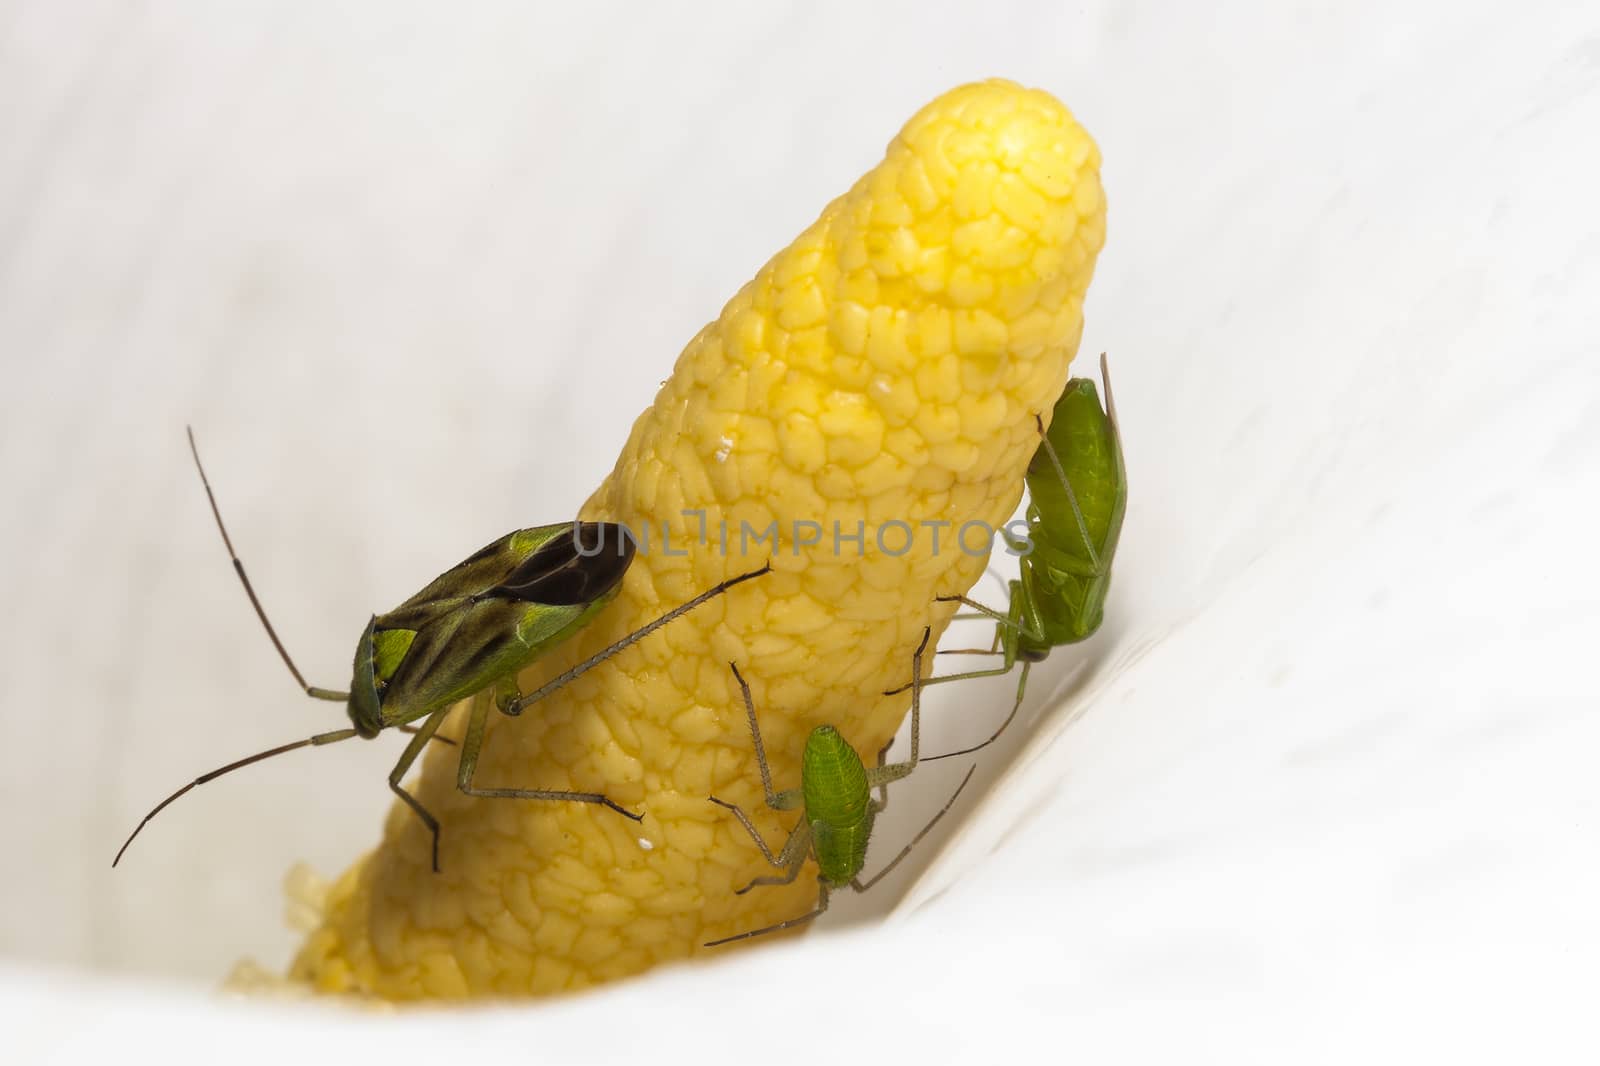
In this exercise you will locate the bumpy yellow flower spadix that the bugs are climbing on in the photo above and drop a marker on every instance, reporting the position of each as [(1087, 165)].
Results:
[(886, 367)]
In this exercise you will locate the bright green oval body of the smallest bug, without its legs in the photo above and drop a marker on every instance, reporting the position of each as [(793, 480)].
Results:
[(838, 804)]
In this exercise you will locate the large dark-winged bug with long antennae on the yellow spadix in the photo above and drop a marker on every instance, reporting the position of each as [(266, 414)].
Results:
[(468, 631)]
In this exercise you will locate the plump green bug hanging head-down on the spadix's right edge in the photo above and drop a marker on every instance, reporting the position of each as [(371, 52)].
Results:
[(1074, 523)]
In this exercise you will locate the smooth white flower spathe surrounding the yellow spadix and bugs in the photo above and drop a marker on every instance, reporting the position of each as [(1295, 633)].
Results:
[(1330, 780)]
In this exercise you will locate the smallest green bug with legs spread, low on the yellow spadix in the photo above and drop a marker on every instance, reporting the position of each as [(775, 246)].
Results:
[(838, 808)]
